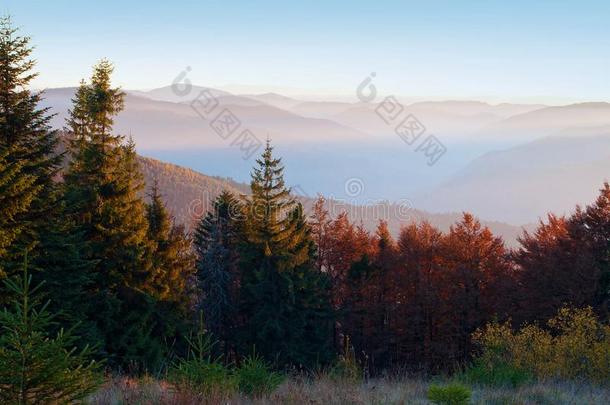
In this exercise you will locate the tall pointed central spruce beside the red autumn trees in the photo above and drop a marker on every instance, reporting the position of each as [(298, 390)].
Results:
[(283, 298)]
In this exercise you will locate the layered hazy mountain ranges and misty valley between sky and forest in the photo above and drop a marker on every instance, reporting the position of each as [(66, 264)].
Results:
[(494, 165)]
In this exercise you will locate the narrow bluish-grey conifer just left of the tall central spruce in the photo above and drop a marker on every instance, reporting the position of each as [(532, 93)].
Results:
[(215, 241)]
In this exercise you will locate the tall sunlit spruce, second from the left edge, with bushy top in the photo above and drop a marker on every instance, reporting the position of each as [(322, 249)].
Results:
[(102, 186)]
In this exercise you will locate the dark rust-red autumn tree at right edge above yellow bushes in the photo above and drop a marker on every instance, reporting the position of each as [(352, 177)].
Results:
[(565, 262)]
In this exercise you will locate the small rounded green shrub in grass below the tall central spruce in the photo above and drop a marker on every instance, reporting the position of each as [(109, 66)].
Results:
[(255, 378)]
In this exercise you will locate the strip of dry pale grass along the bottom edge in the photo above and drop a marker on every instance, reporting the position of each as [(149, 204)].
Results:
[(325, 391)]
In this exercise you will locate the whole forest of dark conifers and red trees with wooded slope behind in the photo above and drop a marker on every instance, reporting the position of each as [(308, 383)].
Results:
[(100, 283)]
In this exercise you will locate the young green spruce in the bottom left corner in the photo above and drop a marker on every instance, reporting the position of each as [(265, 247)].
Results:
[(35, 367)]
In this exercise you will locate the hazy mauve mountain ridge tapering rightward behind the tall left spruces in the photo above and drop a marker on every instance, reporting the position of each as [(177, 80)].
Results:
[(163, 125)]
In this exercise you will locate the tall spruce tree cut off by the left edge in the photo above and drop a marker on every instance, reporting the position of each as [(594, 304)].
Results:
[(31, 211)]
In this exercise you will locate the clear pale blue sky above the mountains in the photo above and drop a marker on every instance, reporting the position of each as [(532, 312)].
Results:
[(514, 51)]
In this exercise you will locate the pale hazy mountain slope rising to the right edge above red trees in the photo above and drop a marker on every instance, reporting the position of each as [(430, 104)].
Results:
[(520, 184)]
